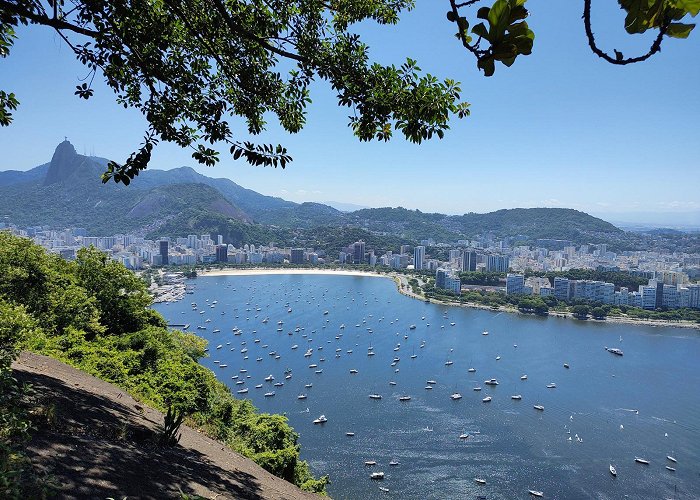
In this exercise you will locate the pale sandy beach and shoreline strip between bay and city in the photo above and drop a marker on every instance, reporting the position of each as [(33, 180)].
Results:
[(404, 288)]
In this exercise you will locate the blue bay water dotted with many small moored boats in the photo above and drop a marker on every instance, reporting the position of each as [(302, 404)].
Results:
[(512, 446)]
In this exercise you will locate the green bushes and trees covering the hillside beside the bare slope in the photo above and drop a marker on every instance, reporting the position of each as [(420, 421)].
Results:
[(92, 313)]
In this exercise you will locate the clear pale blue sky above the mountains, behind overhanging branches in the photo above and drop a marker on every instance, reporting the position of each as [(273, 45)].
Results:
[(559, 128)]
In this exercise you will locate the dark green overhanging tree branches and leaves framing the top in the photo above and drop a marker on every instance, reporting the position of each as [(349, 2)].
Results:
[(192, 66)]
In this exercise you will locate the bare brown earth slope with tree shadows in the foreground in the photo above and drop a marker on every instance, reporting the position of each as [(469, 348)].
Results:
[(100, 445)]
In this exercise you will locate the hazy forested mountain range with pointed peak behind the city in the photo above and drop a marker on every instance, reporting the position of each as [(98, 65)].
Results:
[(68, 192)]
